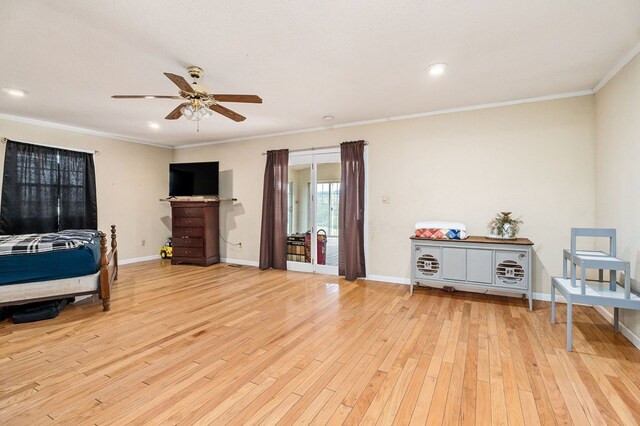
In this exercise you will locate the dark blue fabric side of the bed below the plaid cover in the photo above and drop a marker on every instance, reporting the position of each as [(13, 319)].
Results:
[(15, 269)]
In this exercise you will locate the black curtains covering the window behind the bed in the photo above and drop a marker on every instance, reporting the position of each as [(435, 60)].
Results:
[(47, 190)]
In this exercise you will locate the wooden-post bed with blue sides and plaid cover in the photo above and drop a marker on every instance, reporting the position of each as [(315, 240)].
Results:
[(80, 268)]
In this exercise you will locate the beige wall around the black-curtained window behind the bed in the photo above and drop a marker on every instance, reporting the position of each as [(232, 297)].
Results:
[(130, 179)]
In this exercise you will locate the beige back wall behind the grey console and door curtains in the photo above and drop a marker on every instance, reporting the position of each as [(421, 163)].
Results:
[(536, 160)]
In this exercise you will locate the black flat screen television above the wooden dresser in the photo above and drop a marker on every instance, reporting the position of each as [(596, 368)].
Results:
[(188, 179)]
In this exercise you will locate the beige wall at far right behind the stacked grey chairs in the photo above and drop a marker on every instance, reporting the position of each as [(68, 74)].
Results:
[(618, 170)]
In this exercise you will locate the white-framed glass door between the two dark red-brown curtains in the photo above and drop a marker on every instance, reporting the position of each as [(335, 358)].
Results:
[(314, 191)]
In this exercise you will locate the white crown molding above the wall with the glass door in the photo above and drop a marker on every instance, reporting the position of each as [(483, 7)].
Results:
[(399, 117)]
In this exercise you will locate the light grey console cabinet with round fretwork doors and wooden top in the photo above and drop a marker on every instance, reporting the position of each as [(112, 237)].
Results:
[(475, 264)]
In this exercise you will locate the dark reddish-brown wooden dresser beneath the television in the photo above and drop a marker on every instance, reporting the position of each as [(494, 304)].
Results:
[(195, 232)]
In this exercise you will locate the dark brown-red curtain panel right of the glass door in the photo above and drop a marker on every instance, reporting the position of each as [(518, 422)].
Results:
[(351, 262)]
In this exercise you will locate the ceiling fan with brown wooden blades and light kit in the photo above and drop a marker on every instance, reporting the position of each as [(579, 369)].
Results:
[(198, 102)]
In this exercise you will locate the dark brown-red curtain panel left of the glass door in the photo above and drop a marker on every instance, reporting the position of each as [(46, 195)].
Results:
[(273, 237)]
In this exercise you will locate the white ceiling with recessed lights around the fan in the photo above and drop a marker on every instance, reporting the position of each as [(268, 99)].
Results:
[(356, 60)]
